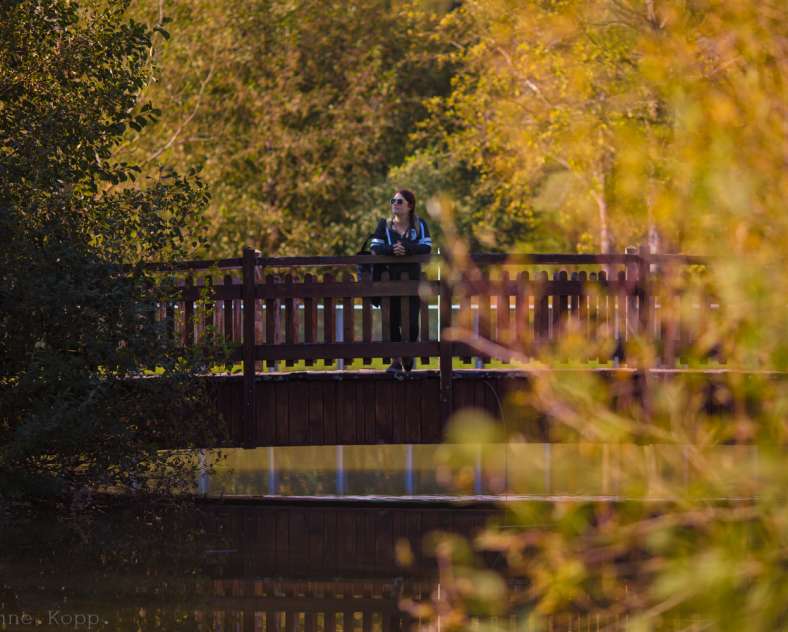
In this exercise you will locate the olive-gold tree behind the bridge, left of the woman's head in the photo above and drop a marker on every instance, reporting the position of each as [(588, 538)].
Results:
[(294, 111)]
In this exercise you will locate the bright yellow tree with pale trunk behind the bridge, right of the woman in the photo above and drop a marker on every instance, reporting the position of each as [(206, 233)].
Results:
[(541, 94)]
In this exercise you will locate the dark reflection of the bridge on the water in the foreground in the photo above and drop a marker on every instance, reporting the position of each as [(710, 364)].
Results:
[(220, 567)]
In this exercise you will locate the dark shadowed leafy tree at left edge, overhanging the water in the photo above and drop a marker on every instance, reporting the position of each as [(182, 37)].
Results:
[(74, 325)]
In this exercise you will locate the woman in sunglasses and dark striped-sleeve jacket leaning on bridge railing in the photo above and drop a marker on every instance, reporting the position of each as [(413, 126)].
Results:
[(404, 234)]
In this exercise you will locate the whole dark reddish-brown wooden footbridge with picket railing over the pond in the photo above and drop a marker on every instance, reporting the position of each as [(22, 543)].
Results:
[(476, 316)]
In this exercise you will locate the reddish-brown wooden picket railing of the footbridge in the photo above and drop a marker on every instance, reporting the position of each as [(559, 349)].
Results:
[(268, 311)]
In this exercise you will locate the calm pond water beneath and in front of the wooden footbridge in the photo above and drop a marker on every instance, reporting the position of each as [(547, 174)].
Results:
[(295, 539)]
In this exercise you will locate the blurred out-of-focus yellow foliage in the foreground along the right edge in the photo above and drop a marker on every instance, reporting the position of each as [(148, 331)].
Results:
[(697, 535)]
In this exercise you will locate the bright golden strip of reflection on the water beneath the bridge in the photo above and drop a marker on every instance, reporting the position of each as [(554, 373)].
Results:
[(515, 470)]
